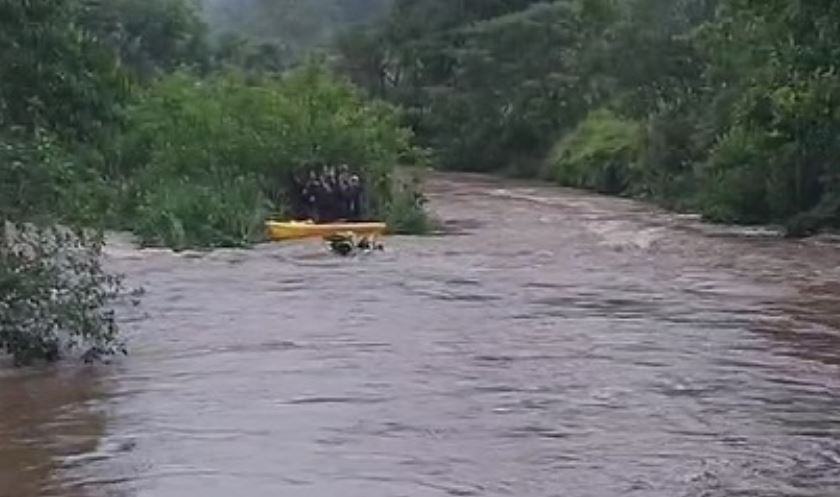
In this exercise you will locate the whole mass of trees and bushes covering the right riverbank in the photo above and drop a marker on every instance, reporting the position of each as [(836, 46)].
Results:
[(727, 107)]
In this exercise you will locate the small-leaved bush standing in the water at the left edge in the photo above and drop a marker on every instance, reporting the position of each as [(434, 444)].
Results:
[(54, 294)]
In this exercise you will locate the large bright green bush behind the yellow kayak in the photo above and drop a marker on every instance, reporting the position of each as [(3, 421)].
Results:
[(190, 140)]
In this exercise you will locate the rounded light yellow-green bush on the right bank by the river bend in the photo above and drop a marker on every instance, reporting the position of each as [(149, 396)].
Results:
[(601, 154)]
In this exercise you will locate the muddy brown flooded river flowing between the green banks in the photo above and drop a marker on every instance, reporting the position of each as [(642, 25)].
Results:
[(553, 343)]
